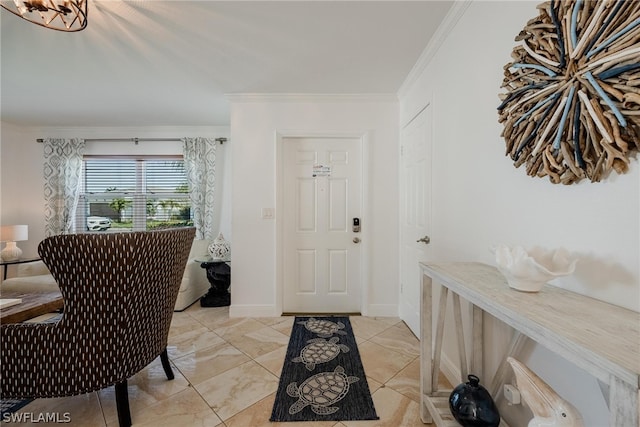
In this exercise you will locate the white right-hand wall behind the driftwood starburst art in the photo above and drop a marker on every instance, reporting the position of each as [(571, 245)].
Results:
[(480, 198)]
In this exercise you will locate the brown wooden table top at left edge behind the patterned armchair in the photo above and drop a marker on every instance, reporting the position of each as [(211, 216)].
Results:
[(32, 305)]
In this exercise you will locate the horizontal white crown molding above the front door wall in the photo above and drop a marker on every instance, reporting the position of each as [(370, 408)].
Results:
[(311, 97)]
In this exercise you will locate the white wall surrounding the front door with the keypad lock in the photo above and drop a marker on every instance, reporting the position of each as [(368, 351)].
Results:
[(255, 122)]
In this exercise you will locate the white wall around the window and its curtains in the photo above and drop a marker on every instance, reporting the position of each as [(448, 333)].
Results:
[(21, 181)]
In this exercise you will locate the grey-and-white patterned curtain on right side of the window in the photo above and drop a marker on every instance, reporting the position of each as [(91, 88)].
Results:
[(200, 165)]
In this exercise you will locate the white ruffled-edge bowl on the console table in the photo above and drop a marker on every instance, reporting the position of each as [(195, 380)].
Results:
[(530, 271)]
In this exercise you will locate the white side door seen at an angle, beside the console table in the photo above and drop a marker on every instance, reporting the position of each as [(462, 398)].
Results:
[(415, 213)]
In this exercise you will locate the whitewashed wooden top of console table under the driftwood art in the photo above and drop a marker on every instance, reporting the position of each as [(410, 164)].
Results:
[(600, 337)]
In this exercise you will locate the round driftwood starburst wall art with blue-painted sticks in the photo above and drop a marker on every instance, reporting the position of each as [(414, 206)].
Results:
[(572, 104)]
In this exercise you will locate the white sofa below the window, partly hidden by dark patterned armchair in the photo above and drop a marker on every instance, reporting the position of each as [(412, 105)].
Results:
[(35, 277)]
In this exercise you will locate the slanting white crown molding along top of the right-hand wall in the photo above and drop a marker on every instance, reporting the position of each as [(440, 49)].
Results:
[(448, 23)]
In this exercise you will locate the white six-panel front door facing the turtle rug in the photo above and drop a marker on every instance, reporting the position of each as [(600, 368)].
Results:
[(322, 185)]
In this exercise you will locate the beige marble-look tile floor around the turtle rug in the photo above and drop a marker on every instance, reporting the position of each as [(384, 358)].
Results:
[(226, 374)]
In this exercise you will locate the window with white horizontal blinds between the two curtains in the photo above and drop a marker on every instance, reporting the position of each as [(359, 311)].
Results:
[(133, 194)]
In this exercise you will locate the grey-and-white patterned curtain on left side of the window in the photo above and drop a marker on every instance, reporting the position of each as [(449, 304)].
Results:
[(62, 179)]
